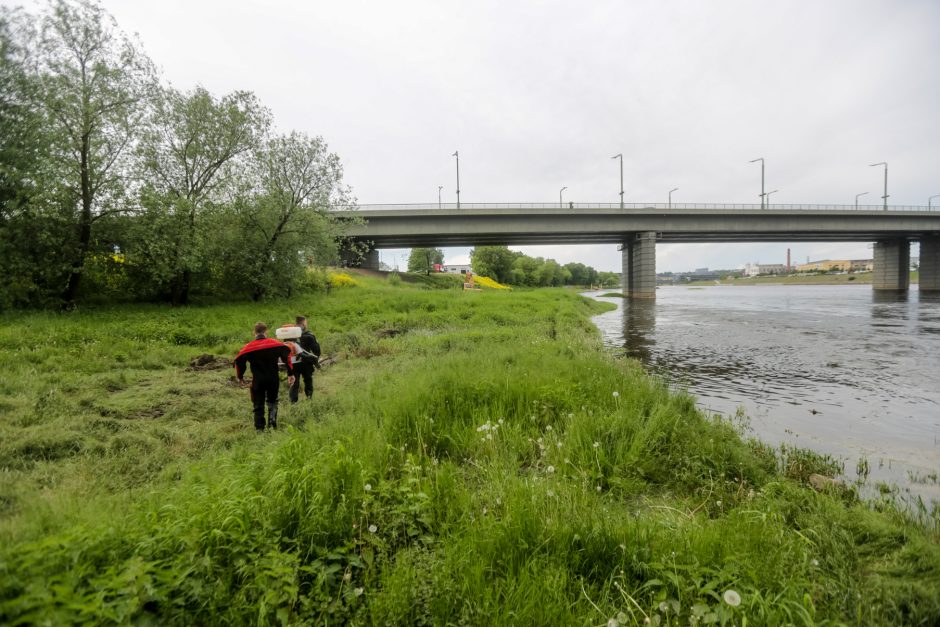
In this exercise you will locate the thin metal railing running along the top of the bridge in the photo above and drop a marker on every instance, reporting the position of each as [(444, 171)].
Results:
[(628, 206)]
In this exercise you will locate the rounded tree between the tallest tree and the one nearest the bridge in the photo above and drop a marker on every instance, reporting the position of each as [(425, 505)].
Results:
[(190, 158)]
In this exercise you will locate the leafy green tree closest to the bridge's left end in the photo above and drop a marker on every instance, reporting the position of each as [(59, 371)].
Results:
[(289, 224)]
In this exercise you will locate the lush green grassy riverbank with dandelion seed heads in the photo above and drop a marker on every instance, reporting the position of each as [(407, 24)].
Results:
[(472, 458)]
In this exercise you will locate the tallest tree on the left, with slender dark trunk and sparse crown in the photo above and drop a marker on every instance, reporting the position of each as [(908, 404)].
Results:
[(95, 84)]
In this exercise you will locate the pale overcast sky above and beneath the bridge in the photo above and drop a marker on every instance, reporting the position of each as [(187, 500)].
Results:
[(538, 95)]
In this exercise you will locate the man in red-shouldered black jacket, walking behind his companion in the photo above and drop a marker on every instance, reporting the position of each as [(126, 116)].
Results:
[(263, 354)]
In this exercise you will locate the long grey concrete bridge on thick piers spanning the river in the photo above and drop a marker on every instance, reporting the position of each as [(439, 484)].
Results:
[(638, 227)]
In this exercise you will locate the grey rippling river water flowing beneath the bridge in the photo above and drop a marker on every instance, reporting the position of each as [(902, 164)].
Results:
[(841, 370)]
